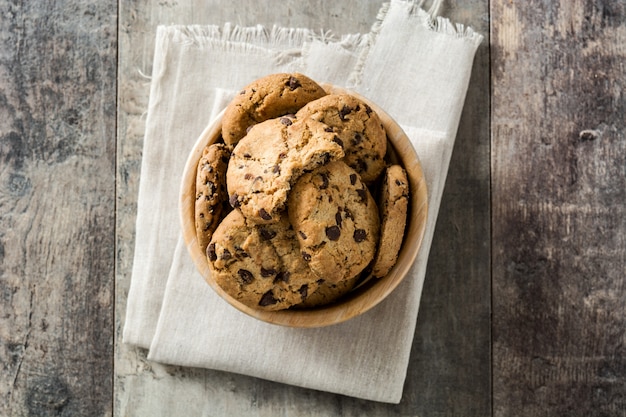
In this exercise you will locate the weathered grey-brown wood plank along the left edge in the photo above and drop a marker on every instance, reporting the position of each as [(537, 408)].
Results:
[(57, 188)]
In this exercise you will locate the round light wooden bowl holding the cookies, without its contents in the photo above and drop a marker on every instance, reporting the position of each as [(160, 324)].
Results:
[(365, 296)]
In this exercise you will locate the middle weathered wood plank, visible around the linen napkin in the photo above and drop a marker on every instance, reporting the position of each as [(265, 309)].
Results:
[(449, 372)]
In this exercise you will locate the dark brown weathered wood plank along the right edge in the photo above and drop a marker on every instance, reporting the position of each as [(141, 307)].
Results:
[(559, 219)]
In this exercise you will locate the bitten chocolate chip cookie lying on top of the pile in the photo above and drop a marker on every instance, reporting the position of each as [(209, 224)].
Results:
[(266, 162)]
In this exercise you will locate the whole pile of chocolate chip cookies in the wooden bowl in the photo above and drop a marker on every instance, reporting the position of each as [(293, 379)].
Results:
[(298, 203)]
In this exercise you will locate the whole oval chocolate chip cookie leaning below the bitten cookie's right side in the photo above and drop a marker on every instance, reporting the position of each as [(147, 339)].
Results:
[(336, 221)]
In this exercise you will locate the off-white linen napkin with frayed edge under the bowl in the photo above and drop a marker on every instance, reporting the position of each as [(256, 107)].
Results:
[(413, 65)]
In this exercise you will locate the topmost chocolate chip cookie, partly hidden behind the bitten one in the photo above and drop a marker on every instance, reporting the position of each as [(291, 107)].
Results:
[(267, 98)]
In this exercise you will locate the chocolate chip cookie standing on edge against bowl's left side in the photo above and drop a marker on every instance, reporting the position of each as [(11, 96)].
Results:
[(211, 194)]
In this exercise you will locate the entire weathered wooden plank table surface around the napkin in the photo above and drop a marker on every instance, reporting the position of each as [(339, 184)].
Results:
[(524, 304)]
